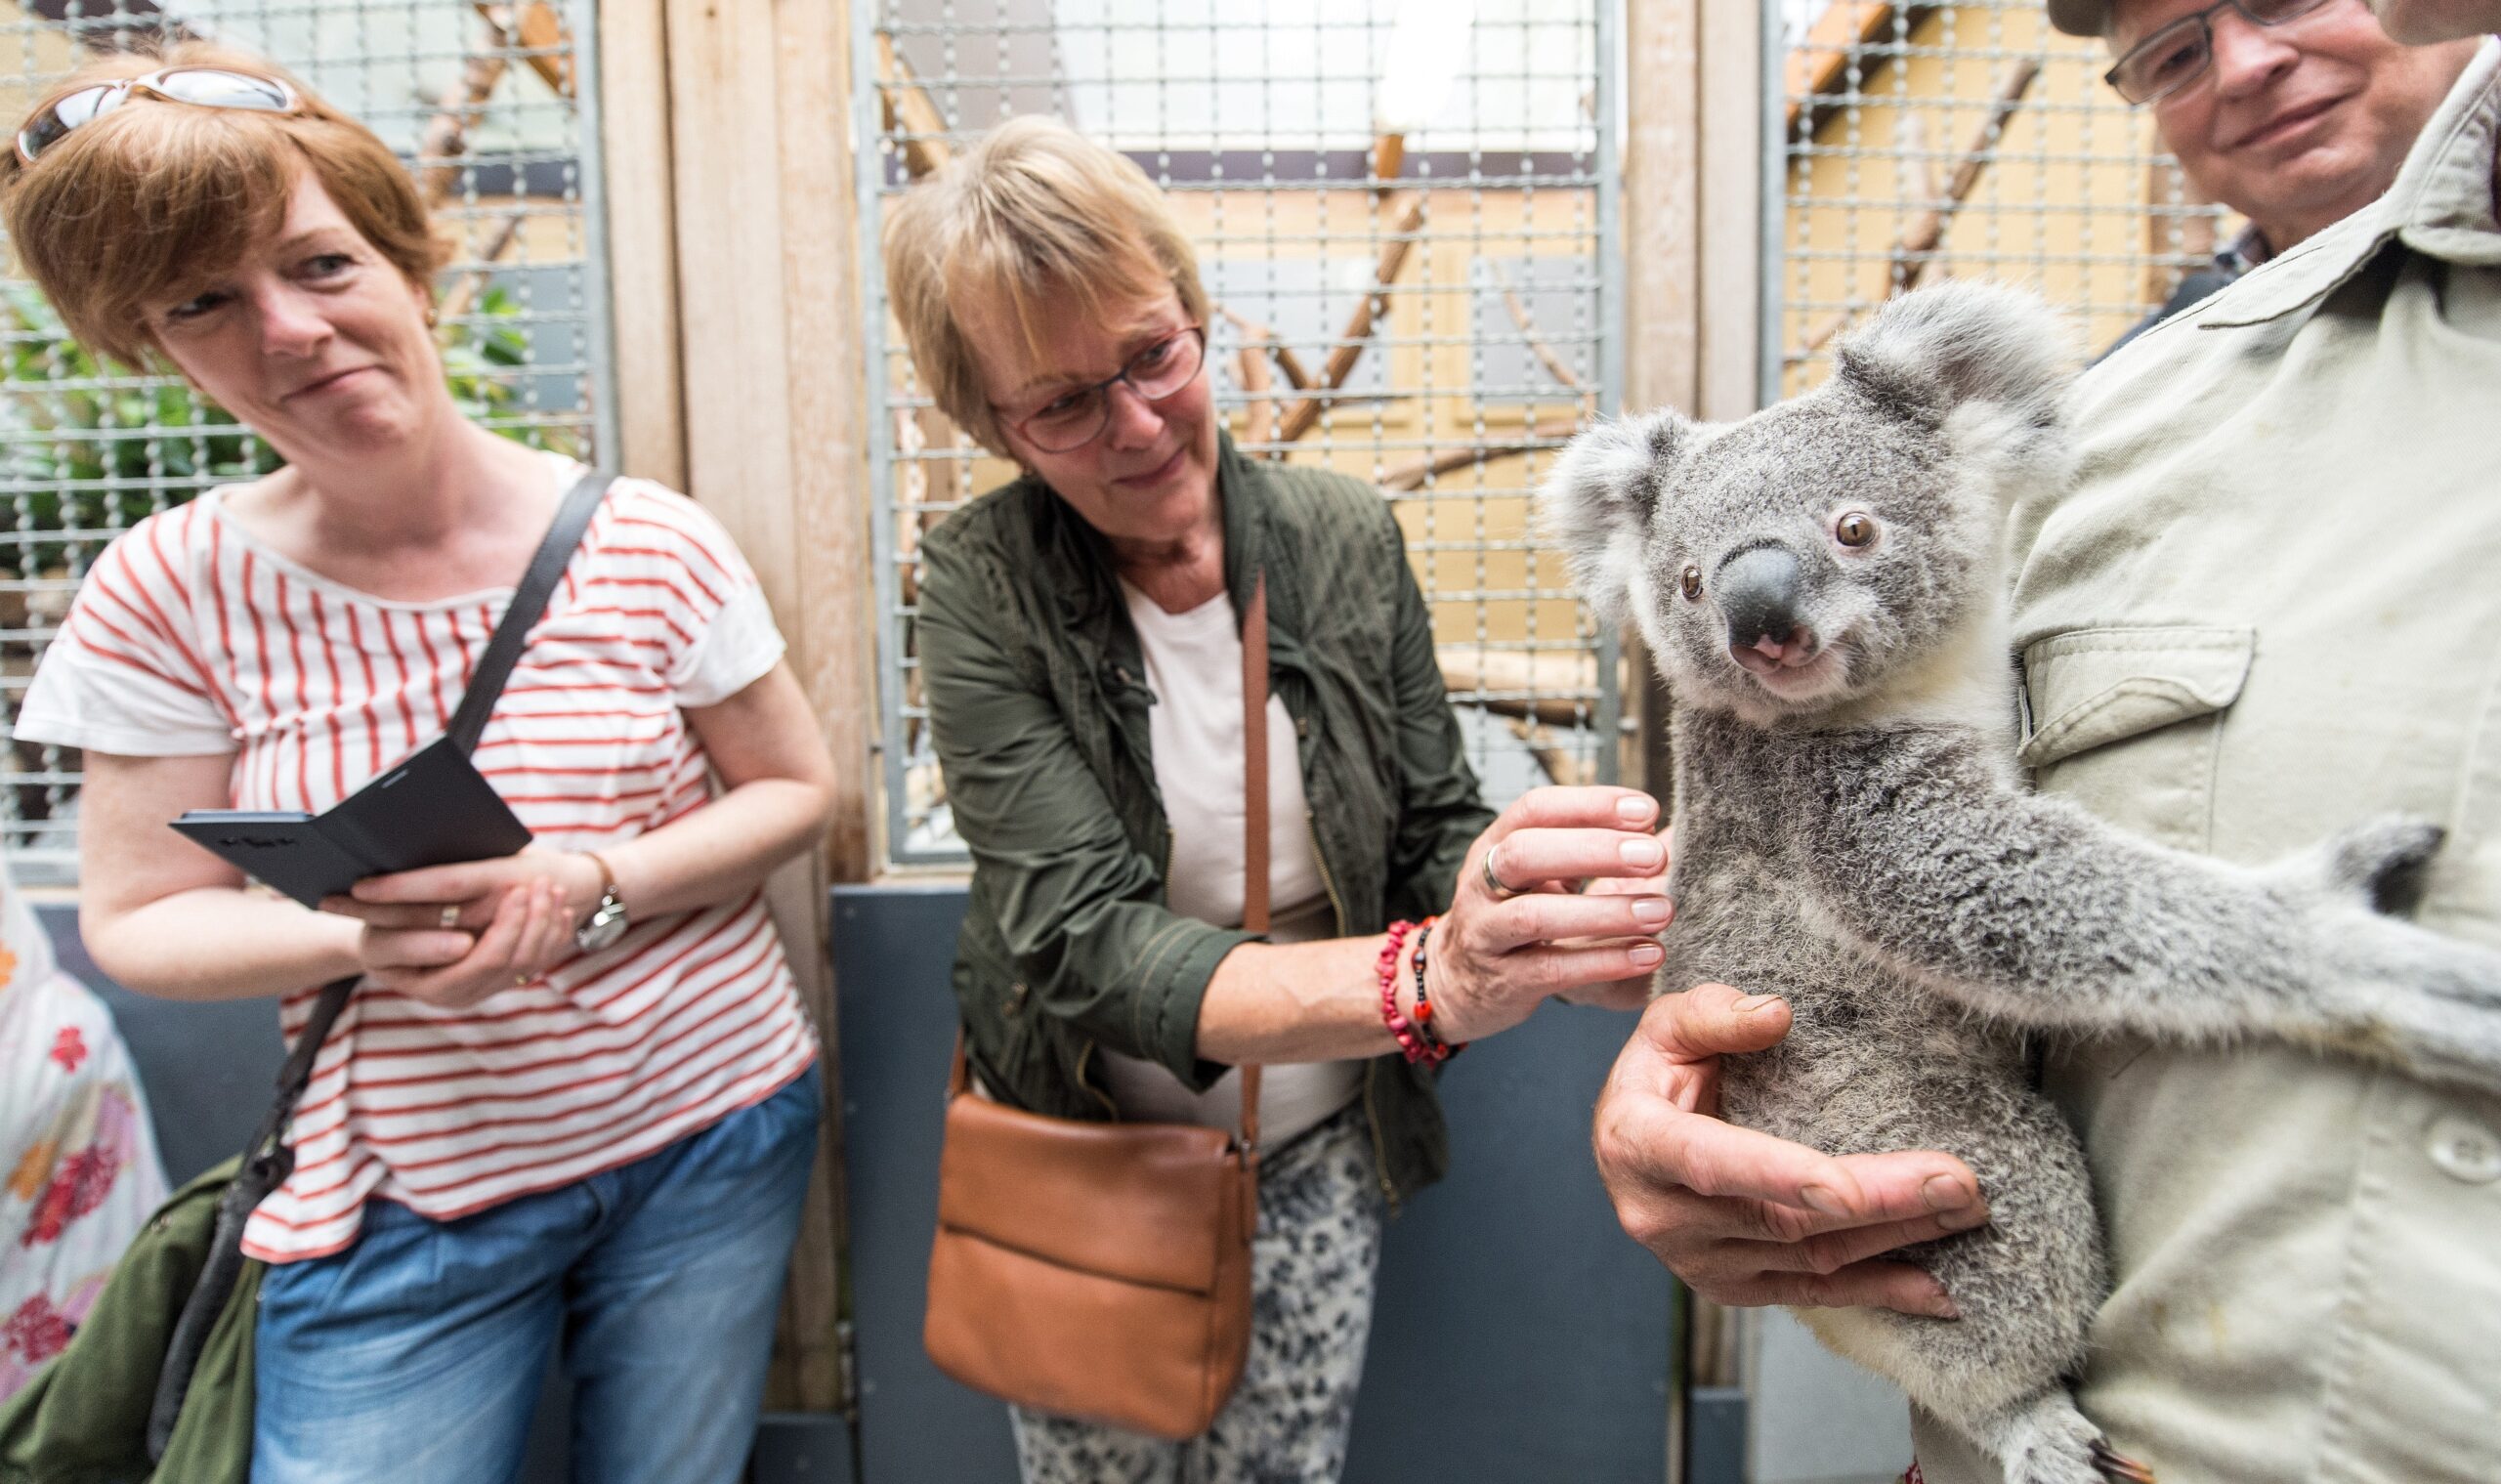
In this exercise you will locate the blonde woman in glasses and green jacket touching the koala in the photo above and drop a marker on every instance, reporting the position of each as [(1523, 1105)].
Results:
[(1084, 664)]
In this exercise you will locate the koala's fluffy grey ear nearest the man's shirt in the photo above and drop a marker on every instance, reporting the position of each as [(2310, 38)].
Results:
[(1937, 349)]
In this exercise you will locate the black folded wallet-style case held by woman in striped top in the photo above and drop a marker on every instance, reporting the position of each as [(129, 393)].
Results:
[(434, 810)]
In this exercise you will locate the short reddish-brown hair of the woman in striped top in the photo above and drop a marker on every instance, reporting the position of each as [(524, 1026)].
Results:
[(156, 196)]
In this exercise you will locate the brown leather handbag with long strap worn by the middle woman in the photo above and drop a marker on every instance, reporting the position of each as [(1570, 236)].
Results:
[(1104, 1270)]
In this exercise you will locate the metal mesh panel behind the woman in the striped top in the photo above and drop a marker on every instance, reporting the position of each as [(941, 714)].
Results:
[(484, 106)]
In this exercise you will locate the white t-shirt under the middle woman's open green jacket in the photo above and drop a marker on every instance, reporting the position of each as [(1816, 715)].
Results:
[(1194, 664)]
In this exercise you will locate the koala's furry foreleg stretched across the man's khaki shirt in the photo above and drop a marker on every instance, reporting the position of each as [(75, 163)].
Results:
[(2040, 915)]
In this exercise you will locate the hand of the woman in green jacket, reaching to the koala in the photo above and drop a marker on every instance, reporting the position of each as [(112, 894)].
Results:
[(1517, 930)]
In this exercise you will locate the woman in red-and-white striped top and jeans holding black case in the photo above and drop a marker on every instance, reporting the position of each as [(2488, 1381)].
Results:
[(571, 1105)]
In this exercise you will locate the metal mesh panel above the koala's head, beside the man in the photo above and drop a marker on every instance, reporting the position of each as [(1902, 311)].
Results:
[(1930, 141)]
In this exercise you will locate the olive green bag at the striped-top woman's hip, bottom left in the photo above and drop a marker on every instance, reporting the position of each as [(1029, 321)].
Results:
[(84, 1418)]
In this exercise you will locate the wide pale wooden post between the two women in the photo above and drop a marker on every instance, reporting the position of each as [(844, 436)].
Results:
[(767, 244)]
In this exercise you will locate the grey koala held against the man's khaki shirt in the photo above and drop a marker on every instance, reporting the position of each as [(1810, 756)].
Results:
[(1822, 587)]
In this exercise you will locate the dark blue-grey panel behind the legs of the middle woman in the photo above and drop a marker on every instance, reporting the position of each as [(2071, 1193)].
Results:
[(1519, 1335)]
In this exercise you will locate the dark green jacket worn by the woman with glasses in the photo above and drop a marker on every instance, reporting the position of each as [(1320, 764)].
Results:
[(1042, 722)]
